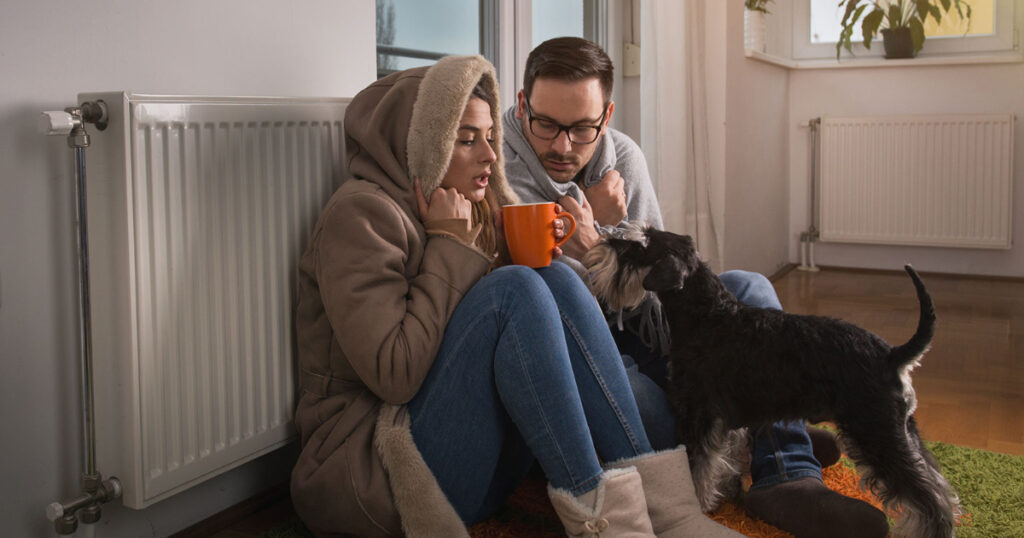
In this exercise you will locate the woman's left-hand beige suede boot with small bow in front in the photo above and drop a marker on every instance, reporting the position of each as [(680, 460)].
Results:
[(617, 510)]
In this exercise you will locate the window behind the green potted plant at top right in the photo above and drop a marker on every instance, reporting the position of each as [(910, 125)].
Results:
[(817, 28)]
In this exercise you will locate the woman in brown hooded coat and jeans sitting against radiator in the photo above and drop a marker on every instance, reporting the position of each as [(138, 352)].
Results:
[(432, 377)]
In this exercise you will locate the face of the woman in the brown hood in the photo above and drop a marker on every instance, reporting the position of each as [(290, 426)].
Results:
[(470, 170)]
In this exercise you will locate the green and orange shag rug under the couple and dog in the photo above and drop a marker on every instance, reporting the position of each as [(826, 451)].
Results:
[(991, 487)]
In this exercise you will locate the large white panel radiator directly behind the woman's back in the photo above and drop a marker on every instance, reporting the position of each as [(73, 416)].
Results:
[(199, 211)]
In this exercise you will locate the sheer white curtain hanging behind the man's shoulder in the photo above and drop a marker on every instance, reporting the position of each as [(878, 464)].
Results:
[(674, 120)]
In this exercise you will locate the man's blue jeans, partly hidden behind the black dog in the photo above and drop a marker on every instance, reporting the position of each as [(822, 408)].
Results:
[(782, 452)]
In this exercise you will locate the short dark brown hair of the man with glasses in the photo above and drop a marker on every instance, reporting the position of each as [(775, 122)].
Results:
[(570, 60)]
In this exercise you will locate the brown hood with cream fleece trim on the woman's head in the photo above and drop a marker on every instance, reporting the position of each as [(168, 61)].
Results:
[(405, 127)]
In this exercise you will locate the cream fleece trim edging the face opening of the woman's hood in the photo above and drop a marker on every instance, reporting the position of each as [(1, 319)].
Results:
[(441, 102)]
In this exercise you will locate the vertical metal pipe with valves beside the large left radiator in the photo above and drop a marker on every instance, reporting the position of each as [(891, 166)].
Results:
[(95, 490)]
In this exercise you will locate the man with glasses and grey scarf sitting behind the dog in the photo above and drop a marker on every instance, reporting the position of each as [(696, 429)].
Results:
[(559, 147)]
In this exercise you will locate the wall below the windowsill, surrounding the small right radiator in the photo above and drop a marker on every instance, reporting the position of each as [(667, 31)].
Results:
[(978, 89)]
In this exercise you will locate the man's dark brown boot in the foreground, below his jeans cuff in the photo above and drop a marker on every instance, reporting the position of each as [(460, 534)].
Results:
[(807, 509)]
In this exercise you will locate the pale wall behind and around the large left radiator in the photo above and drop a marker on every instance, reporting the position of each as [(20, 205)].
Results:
[(51, 51)]
